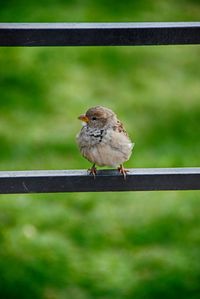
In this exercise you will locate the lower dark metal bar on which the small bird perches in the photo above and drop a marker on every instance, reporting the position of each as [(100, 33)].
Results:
[(138, 179)]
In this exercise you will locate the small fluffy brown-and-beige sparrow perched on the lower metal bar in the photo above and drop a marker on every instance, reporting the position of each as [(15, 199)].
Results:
[(103, 140)]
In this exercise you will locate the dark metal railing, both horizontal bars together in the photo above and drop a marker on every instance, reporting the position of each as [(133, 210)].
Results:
[(99, 34)]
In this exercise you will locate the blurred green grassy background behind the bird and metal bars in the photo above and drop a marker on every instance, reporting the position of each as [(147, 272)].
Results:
[(96, 245)]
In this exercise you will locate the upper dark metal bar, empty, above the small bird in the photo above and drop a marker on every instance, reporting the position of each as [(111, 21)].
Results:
[(99, 34)]
